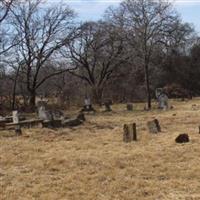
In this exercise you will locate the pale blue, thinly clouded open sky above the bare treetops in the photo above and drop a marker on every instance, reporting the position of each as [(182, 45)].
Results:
[(94, 9)]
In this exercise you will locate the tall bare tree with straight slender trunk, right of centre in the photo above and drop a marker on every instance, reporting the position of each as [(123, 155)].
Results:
[(149, 24)]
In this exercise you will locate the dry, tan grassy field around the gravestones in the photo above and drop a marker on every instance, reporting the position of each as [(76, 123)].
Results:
[(91, 162)]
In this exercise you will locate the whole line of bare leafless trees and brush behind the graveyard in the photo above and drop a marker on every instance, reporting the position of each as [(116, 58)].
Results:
[(135, 48)]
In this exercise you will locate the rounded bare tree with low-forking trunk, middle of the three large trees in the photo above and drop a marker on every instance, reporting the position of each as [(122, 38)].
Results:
[(97, 53)]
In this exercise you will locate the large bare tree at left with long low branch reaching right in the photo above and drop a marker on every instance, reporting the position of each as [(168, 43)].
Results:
[(42, 31)]
